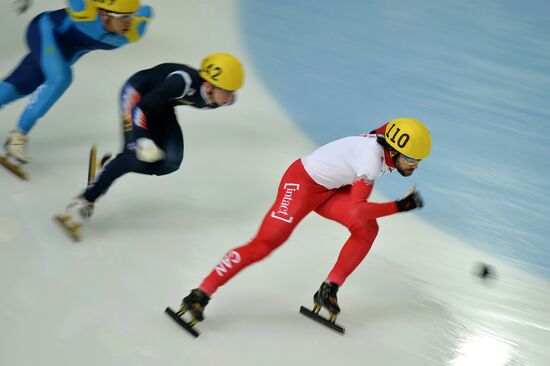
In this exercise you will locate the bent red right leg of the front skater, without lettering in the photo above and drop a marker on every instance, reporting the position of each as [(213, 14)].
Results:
[(363, 232)]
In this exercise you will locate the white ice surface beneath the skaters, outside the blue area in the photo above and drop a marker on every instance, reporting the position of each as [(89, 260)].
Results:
[(415, 300)]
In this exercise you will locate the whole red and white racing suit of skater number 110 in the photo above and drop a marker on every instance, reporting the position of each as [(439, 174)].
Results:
[(334, 181)]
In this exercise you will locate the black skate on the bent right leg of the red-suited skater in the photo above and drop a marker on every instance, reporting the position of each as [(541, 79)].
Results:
[(326, 298)]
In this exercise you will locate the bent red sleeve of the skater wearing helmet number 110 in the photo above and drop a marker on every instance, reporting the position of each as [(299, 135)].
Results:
[(361, 208)]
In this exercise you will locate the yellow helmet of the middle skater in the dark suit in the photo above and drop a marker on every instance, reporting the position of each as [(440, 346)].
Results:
[(223, 71)]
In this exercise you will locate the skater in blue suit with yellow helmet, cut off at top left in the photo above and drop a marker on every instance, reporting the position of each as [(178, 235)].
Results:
[(56, 40)]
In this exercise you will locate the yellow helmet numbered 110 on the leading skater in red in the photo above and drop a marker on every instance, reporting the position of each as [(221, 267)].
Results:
[(409, 137)]
